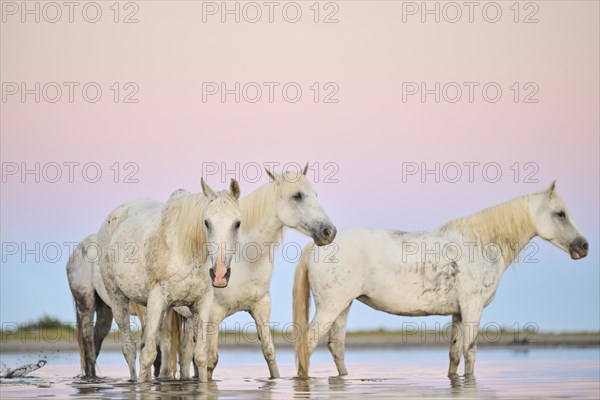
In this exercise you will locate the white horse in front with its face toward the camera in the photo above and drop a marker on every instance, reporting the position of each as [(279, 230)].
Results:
[(159, 254)]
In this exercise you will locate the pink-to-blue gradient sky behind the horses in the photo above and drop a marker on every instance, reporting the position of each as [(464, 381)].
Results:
[(369, 135)]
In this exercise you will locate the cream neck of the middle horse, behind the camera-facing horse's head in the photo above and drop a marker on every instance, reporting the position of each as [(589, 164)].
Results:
[(260, 222)]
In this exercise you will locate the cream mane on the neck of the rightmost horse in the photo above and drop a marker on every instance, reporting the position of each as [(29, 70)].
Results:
[(509, 225)]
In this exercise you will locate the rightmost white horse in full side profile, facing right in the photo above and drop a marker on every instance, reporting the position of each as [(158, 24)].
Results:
[(452, 270)]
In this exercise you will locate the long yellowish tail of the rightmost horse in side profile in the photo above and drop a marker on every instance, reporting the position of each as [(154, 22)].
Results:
[(301, 306)]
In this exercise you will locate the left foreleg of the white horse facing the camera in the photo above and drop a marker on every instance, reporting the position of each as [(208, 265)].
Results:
[(155, 308)]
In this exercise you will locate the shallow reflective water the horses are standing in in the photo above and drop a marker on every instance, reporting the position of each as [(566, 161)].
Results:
[(374, 373)]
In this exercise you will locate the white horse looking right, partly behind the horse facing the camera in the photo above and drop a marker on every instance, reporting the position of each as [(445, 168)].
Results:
[(287, 201)]
